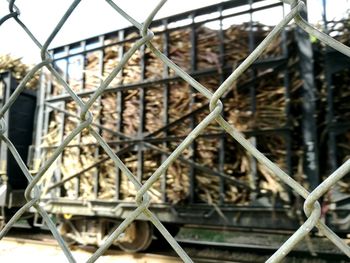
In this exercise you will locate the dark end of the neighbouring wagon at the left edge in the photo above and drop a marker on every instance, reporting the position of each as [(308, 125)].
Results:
[(19, 119)]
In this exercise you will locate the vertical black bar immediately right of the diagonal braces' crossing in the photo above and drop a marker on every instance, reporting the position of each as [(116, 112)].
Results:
[(165, 105)]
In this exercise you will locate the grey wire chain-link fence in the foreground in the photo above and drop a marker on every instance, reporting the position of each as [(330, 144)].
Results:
[(312, 207)]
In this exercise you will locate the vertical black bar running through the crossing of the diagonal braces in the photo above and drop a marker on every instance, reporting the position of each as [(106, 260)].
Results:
[(142, 92)]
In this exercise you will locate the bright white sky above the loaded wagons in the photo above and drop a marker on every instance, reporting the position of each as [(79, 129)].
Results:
[(94, 17)]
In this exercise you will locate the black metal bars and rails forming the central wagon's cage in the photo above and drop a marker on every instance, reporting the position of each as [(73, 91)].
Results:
[(145, 140)]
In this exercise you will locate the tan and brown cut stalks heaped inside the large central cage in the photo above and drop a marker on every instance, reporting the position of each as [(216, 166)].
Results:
[(149, 110)]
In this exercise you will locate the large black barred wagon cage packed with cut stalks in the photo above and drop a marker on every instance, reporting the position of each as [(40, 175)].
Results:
[(148, 110)]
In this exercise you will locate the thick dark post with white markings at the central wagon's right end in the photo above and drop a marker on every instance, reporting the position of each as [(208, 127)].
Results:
[(309, 127)]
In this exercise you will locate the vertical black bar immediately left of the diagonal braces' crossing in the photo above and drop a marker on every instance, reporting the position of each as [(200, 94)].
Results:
[(120, 116)]
